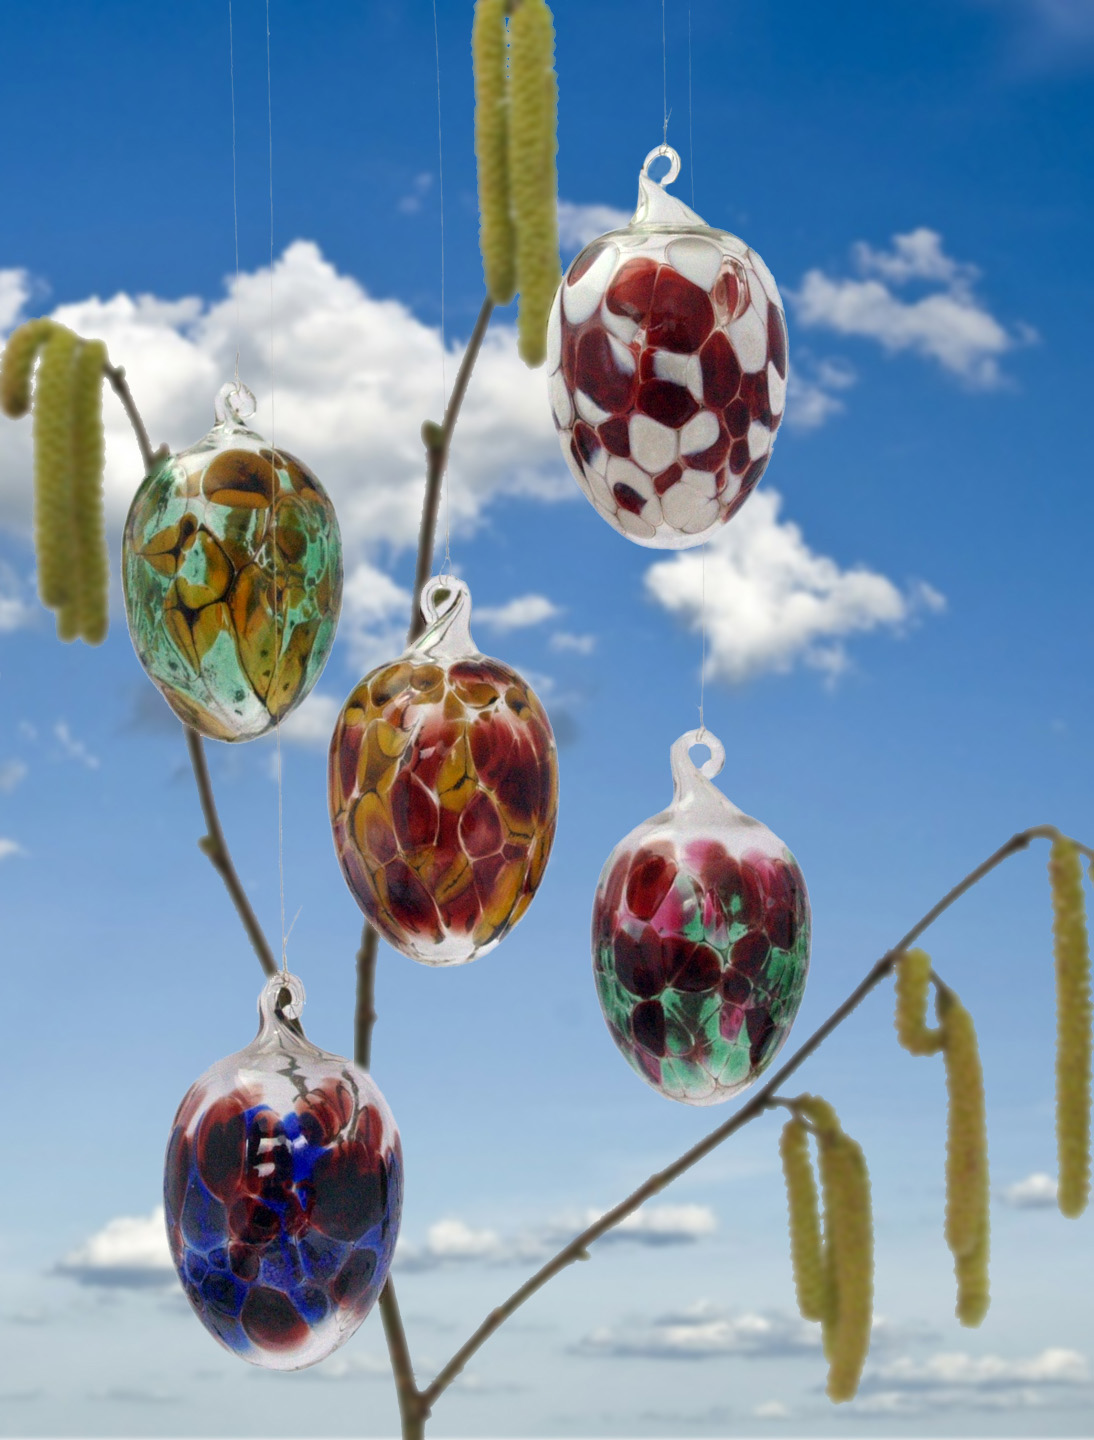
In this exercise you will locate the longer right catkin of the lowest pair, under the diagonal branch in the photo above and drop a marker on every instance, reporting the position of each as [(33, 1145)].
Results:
[(849, 1249)]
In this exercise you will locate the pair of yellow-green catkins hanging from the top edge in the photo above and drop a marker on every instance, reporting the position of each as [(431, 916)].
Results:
[(516, 129)]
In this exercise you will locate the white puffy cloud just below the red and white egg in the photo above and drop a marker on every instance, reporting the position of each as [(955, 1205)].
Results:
[(772, 603)]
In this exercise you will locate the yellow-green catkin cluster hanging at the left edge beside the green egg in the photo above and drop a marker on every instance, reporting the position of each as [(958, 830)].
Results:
[(70, 542)]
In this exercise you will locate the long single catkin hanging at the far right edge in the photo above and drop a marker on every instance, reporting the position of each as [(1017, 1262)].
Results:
[(1073, 1027)]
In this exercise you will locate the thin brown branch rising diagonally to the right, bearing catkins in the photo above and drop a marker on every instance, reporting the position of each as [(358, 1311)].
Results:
[(578, 1249)]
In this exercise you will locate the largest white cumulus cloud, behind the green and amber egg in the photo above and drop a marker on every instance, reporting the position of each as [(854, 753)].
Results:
[(355, 379)]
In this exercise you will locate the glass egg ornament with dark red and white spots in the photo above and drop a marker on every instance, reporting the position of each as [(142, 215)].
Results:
[(667, 364)]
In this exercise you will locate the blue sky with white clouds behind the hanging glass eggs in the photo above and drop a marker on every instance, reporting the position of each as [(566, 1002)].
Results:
[(900, 663)]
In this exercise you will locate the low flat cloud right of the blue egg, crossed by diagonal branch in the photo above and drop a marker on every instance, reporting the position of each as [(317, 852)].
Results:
[(453, 1242)]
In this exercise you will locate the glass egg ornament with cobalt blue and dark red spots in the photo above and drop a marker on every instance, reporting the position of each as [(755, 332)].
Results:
[(283, 1193)]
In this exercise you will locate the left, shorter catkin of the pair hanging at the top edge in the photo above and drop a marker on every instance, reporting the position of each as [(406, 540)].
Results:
[(497, 241)]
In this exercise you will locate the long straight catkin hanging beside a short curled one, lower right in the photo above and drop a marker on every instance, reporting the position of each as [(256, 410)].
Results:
[(967, 1156)]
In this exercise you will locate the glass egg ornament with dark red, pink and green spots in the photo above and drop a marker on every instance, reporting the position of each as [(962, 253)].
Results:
[(700, 940)]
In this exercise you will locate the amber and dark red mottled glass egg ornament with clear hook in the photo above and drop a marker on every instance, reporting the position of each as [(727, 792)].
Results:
[(444, 791)]
